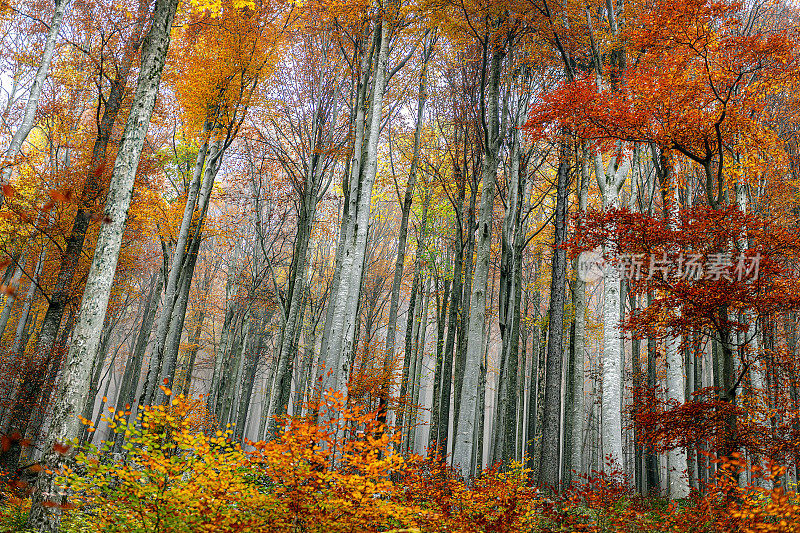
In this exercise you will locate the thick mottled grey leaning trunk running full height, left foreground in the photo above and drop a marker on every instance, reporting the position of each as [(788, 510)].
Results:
[(71, 396)]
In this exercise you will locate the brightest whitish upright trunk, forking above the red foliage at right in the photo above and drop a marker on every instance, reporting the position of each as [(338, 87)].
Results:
[(610, 180)]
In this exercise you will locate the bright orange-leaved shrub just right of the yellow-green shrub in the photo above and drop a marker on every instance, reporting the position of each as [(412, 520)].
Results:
[(332, 471)]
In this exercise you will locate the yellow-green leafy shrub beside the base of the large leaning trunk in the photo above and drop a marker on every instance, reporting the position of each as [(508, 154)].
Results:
[(171, 479)]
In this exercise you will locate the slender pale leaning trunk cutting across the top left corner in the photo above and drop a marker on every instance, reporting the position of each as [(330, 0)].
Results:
[(32, 104)]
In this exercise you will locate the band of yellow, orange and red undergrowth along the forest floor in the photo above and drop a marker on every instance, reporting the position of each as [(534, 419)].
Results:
[(336, 471)]
